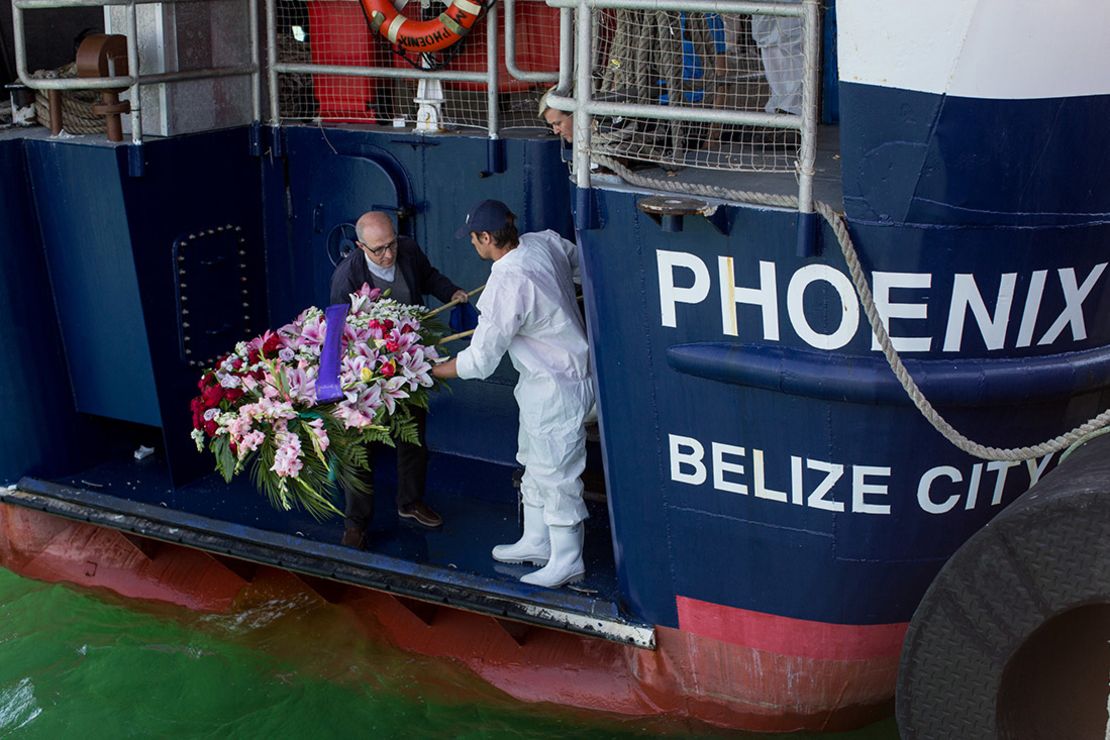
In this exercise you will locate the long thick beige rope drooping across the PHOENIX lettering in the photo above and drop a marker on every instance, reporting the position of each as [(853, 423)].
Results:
[(849, 250)]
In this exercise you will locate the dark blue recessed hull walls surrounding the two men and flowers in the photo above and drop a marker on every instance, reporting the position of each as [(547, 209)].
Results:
[(132, 305)]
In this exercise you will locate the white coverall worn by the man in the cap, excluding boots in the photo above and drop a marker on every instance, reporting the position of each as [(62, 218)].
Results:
[(529, 309)]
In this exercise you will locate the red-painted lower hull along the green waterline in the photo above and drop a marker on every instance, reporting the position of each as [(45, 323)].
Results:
[(721, 667)]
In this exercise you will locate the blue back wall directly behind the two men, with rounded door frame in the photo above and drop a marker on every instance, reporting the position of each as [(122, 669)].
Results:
[(335, 176)]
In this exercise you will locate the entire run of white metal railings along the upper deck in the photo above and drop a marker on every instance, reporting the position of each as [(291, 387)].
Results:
[(578, 48)]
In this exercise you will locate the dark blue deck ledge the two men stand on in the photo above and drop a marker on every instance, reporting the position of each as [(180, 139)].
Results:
[(450, 566)]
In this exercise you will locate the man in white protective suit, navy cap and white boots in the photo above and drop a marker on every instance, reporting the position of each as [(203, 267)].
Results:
[(529, 310)]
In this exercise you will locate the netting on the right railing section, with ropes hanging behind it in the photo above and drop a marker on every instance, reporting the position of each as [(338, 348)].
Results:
[(729, 63)]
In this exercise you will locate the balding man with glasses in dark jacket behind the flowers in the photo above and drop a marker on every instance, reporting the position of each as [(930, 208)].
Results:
[(397, 265)]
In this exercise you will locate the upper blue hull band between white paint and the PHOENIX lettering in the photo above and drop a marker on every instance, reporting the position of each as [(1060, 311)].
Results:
[(926, 159)]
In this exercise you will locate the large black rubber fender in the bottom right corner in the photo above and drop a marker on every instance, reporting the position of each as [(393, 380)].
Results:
[(1012, 638)]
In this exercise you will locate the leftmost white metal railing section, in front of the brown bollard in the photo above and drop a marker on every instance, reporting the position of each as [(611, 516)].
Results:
[(135, 80)]
